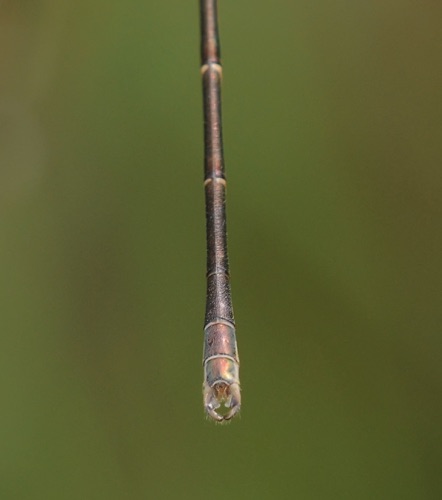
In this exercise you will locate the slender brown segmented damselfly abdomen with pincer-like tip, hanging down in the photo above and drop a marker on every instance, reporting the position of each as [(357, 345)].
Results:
[(221, 389)]
